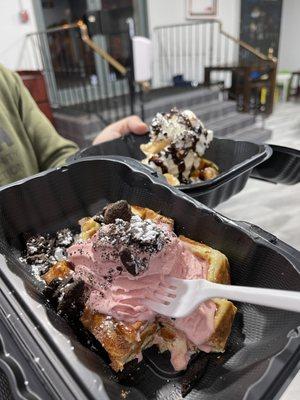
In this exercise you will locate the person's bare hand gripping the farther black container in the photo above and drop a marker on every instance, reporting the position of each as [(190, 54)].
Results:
[(120, 128)]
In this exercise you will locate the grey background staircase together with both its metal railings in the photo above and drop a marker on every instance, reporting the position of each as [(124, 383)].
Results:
[(85, 98)]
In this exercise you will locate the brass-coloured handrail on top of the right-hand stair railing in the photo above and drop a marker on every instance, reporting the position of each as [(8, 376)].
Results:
[(241, 43)]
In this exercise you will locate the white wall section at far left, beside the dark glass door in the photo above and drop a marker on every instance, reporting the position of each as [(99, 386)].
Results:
[(13, 32)]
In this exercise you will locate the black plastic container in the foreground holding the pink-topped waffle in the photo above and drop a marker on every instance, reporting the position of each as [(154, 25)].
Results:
[(40, 355)]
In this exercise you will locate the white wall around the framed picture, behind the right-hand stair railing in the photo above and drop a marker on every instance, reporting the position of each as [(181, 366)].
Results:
[(189, 56)]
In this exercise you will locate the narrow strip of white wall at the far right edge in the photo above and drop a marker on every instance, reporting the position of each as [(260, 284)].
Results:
[(289, 52)]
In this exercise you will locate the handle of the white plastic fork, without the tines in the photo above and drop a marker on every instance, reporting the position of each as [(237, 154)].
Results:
[(283, 299)]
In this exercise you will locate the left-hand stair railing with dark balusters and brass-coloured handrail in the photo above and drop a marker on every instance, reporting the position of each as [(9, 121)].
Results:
[(76, 77)]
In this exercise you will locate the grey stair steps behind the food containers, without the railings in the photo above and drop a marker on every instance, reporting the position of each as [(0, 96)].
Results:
[(208, 104)]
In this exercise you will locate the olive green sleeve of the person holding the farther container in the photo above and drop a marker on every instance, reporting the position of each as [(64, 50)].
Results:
[(50, 148)]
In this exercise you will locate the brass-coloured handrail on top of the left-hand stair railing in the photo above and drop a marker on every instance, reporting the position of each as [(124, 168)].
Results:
[(87, 39)]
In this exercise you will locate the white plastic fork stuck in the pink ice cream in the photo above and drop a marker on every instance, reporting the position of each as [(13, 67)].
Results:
[(178, 298)]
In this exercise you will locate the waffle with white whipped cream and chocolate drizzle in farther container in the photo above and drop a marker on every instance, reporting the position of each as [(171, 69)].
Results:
[(178, 140)]
